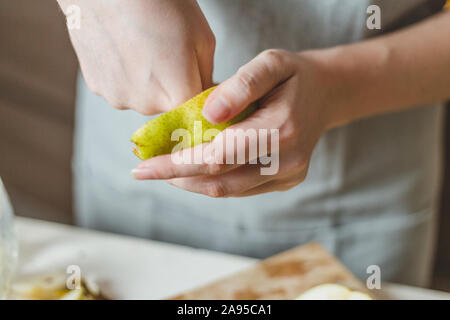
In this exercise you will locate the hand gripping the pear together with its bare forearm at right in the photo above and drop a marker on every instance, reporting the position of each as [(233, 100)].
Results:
[(307, 93)]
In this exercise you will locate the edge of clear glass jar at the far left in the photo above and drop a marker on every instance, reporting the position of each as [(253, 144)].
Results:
[(8, 244)]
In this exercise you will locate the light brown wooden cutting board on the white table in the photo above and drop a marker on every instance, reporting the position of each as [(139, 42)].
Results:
[(284, 276)]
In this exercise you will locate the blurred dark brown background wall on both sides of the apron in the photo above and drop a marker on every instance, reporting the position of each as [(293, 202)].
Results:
[(37, 91)]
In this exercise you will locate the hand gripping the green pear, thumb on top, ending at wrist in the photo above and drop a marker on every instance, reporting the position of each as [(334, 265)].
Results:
[(293, 95)]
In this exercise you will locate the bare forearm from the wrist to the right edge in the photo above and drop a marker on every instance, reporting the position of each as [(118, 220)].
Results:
[(405, 69)]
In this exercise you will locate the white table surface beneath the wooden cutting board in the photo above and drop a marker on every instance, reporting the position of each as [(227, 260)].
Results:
[(132, 268)]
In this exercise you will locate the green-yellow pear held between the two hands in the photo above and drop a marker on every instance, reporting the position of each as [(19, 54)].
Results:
[(155, 137)]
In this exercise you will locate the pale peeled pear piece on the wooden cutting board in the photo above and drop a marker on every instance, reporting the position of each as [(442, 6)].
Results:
[(332, 292)]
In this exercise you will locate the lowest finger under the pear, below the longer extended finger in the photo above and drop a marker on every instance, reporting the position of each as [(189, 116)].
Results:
[(233, 182)]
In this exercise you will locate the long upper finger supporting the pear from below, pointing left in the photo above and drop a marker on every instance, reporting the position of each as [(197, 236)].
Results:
[(219, 156)]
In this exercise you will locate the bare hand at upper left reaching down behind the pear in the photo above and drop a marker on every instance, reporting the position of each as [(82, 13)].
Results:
[(146, 55)]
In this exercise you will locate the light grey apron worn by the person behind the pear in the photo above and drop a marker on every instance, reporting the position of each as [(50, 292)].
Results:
[(370, 195)]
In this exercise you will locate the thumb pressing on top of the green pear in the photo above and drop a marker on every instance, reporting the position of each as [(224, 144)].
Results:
[(250, 83)]
